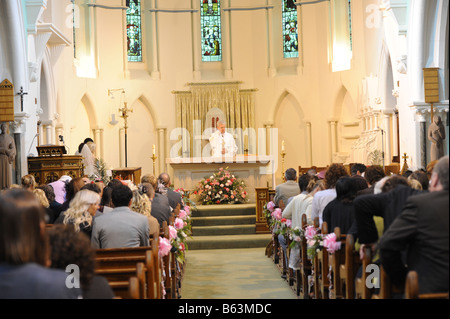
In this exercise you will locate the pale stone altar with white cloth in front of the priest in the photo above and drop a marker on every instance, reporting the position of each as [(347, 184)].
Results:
[(255, 171)]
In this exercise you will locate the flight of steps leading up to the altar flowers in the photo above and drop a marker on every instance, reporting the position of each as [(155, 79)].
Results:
[(226, 227)]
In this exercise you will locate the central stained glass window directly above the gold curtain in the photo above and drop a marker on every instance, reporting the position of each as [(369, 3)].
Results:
[(211, 30)]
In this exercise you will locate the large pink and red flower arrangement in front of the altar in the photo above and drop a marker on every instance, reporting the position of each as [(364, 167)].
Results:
[(221, 188)]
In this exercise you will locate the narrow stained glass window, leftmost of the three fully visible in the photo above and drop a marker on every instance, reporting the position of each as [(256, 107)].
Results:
[(134, 32)]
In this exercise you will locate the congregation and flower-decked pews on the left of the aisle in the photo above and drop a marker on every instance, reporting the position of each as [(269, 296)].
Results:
[(76, 238)]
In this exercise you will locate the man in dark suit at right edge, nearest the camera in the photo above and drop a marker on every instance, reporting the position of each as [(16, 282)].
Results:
[(422, 229)]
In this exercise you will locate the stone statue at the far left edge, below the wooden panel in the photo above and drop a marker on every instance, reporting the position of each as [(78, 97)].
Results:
[(7, 155)]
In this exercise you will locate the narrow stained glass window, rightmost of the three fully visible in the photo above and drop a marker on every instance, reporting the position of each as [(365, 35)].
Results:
[(290, 29)]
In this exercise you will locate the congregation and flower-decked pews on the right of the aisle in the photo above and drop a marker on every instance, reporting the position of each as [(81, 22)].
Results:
[(359, 233)]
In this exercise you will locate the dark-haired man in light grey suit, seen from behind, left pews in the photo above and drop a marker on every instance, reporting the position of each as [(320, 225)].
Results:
[(121, 227)]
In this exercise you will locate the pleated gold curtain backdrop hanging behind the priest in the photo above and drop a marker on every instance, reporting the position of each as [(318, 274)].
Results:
[(238, 107)]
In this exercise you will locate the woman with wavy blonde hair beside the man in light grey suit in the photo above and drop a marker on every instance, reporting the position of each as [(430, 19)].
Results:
[(81, 211)]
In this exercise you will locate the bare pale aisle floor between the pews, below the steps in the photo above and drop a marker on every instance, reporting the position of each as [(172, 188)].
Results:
[(233, 274)]
